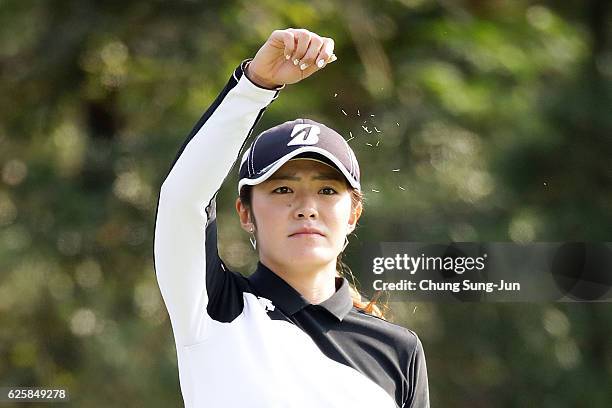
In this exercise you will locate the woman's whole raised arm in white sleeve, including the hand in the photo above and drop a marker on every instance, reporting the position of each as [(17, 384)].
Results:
[(203, 162)]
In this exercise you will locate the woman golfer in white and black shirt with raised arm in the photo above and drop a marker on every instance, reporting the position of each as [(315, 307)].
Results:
[(289, 335)]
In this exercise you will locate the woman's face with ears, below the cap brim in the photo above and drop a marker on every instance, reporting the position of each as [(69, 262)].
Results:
[(303, 213)]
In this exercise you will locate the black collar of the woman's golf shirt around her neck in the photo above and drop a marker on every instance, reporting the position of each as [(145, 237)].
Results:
[(289, 300)]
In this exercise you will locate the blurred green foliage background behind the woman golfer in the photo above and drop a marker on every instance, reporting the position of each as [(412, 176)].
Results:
[(498, 115)]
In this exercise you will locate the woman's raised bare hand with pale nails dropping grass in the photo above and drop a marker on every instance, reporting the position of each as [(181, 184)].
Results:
[(288, 56)]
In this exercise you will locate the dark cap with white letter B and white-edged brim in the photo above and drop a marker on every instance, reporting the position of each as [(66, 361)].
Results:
[(300, 138)]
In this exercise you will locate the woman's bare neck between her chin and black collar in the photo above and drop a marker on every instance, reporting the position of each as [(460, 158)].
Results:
[(315, 284)]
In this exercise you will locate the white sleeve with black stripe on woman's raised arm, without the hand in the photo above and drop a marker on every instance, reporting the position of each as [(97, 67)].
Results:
[(198, 171)]
